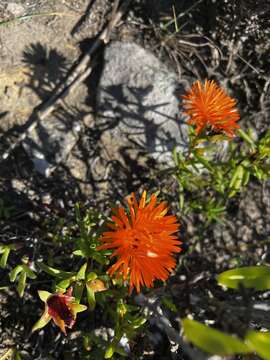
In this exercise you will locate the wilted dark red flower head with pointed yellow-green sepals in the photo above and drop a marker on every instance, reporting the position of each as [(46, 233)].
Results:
[(61, 308)]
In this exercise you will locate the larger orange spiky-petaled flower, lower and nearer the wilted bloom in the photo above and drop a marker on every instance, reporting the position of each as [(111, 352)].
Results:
[(143, 240)]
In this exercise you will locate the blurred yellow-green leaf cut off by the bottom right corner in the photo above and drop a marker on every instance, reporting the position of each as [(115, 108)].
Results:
[(259, 342)]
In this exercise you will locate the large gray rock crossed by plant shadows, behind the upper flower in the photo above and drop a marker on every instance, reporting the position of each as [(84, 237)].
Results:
[(137, 102)]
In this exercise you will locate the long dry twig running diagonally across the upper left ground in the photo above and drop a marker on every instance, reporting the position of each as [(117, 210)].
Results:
[(79, 74)]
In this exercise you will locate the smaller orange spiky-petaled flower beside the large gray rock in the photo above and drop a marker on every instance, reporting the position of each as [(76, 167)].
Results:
[(209, 105)]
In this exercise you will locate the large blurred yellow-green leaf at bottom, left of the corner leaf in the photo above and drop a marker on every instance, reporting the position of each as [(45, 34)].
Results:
[(212, 340)]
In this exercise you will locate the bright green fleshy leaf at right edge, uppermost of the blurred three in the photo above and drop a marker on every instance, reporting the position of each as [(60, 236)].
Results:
[(257, 277)]
